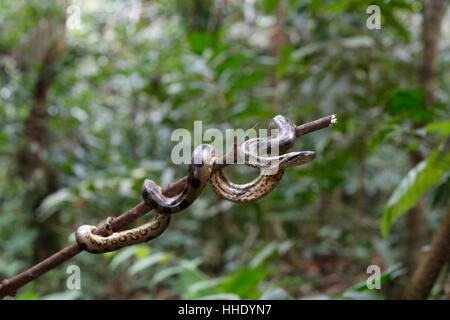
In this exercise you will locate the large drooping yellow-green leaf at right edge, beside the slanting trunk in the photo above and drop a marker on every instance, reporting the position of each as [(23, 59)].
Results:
[(418, 180)]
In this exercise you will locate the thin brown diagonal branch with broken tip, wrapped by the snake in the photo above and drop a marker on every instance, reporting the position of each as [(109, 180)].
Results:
[(9, 287)]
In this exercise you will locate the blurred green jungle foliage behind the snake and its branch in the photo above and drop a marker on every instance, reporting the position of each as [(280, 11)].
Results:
[(87, 112)]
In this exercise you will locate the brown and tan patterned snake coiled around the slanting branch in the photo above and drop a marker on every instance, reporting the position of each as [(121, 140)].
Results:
[(200, 173)]
